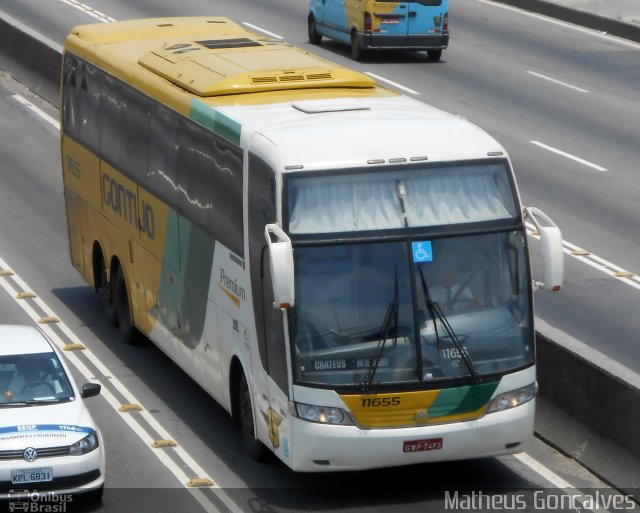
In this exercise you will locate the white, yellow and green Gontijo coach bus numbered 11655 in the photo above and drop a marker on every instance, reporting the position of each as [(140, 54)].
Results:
[(285, 230)]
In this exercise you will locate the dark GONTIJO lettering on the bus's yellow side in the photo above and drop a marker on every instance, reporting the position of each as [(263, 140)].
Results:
[(124, 202)]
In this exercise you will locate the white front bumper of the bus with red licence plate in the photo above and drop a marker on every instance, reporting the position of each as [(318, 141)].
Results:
[(326, 448)]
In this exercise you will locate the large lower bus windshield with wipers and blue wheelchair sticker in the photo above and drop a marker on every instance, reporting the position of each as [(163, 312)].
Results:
[(371, 304)]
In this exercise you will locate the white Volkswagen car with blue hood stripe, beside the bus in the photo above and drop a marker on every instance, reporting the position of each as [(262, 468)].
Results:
[(49, 444)]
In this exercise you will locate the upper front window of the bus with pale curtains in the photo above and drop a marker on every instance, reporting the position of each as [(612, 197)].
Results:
[(416, 196)]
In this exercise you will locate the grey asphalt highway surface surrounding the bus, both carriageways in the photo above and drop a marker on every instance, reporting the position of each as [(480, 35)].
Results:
[(492, 75)]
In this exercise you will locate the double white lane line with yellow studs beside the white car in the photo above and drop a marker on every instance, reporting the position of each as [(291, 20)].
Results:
[(114, 382)]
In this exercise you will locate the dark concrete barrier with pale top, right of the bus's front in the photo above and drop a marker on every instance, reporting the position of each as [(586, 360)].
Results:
[(589, 407)]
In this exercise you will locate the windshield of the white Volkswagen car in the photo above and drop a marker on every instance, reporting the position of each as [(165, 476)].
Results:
[(37, 377)]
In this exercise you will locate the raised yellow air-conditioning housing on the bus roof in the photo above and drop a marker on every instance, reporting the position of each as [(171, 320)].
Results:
[(221, 66)]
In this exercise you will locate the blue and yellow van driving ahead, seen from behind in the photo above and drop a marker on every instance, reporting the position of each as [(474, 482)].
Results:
[(381, 25)]
